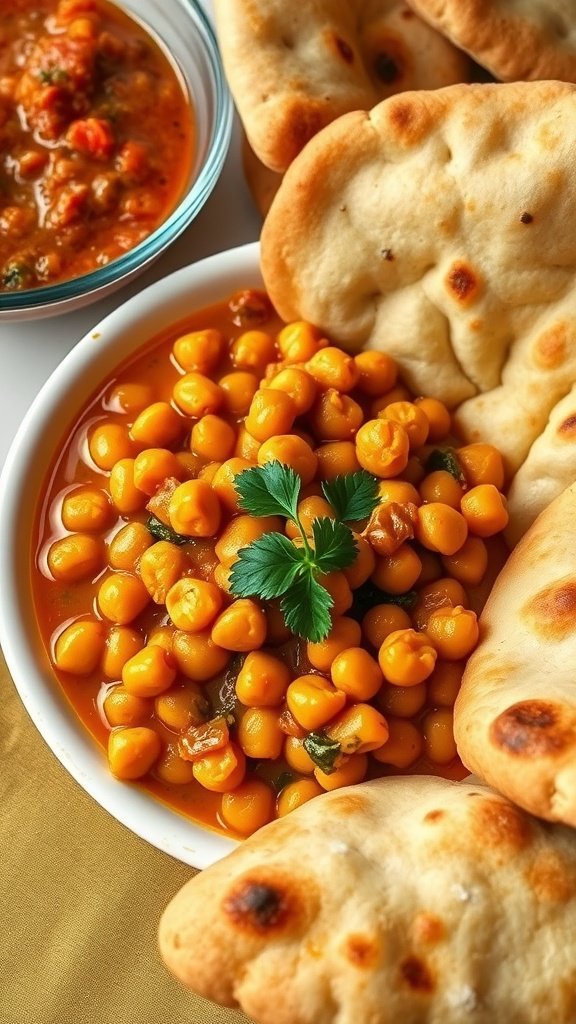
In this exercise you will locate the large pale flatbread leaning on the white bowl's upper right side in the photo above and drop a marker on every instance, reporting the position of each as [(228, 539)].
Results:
[(439, 228)]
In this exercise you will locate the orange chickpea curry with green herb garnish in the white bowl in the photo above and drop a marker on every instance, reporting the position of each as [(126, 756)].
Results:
[(259, 568)]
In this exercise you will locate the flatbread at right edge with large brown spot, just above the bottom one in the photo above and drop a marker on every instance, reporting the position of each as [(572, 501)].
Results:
[(515, 719)]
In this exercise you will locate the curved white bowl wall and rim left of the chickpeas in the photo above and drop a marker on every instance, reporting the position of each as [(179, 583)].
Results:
[(53, 413)]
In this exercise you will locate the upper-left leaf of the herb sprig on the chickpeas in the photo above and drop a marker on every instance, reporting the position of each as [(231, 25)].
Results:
[(269, 490)]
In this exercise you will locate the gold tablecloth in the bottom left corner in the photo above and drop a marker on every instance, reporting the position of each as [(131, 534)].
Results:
[(80, 900)]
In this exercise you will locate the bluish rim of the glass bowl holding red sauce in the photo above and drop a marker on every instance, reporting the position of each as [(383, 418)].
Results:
[(193, 202)]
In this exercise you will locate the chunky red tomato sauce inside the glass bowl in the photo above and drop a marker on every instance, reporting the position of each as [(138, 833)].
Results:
[(97, 139)]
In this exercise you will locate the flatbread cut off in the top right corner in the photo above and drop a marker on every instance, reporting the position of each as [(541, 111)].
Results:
[(514, 39)]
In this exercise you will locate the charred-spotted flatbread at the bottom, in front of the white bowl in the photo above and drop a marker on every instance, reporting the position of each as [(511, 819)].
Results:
[(413, 901)]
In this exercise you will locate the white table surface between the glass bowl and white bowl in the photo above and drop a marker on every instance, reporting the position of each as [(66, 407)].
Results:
[(30, 351)]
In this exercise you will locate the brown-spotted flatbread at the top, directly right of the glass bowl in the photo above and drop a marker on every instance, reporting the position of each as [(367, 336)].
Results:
[(293, 68)]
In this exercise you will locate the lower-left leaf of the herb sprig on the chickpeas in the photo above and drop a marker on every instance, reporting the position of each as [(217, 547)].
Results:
[(267, 568)]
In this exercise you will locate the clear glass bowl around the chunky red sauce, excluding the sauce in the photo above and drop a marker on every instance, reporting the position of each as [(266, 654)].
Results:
[(184, 30)]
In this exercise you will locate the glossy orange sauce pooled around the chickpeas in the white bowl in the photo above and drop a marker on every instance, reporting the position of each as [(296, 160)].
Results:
[(58, 604)]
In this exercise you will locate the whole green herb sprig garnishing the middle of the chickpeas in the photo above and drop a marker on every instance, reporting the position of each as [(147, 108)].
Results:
[(275, 568)]
